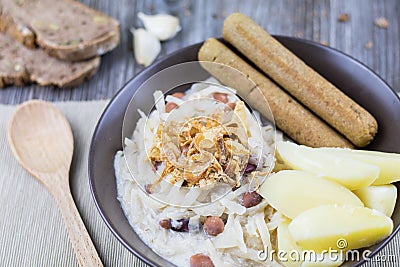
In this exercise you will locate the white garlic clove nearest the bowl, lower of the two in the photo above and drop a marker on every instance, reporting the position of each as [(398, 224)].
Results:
[(146, 46)]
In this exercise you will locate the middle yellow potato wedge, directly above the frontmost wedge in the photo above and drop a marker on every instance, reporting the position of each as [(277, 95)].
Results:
[(291, 192)]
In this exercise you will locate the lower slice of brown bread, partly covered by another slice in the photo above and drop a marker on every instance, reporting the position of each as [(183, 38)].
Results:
[(20, 65)]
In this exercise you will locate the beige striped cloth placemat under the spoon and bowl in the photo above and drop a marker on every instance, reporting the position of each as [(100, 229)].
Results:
[(32, 232)]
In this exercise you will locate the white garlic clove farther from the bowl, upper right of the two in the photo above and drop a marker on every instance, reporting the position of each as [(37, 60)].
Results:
[(163, 26)]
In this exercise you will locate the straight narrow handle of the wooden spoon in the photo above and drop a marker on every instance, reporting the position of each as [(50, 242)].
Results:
[(83, 246)]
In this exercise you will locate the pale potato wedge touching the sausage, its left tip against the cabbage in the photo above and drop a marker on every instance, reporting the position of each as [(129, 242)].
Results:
[(353, 174)]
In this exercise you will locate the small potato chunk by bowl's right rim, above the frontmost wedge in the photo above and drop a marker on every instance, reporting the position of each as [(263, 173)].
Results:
[(379, 197)]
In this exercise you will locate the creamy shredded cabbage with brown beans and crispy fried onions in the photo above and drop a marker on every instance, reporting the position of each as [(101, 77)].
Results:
[(187, 179)]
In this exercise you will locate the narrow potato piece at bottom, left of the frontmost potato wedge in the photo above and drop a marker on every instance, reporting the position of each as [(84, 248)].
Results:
[(290, 256)]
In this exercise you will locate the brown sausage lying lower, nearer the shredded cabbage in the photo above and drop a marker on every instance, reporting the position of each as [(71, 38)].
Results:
[(289, 115)]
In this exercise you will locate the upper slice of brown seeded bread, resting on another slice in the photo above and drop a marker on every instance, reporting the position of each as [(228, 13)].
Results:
[(65, 29)]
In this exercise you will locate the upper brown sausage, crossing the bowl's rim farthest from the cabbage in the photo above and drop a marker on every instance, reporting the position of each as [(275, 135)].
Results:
[(301, 81)]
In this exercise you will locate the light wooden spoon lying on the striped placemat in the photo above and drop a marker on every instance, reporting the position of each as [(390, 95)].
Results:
[(41, 140)]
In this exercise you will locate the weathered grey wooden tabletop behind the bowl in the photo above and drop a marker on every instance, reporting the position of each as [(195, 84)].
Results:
[(317, 20)]
